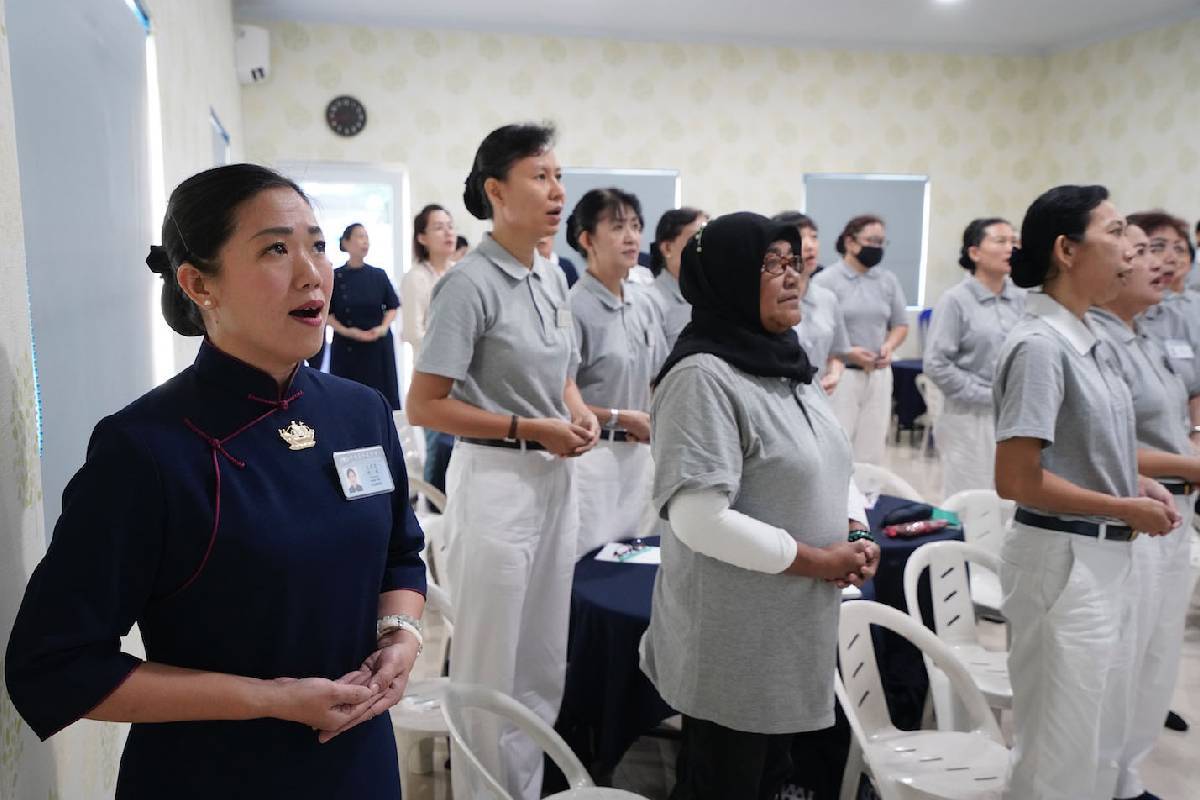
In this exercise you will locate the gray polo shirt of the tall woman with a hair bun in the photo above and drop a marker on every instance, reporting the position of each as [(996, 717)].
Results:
[(503, 333)]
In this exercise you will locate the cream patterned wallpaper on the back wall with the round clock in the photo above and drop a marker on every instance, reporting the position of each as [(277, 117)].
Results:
[(743, 124)]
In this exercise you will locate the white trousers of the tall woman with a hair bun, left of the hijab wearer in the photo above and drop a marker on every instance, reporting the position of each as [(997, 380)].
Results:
[(512, 522)]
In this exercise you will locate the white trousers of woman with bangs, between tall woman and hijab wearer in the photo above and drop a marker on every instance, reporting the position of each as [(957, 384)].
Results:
[(615, 480)]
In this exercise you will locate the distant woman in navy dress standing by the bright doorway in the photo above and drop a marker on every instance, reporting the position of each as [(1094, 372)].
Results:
[(363, 310)]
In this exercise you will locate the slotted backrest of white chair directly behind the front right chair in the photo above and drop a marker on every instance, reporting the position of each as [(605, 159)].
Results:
[(950, 587)]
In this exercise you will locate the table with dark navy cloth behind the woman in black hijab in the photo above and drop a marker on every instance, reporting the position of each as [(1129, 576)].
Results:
[(609, 702)]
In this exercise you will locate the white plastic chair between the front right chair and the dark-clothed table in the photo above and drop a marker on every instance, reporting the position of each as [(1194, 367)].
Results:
[(955, 622)]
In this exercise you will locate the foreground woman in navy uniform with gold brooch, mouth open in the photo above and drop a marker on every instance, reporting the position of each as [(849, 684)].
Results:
[(280, 618)]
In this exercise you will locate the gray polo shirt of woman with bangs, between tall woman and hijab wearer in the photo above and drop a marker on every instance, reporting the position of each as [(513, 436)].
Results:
[(621, 344)]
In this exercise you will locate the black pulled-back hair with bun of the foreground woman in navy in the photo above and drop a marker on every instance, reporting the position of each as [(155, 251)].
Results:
[(201, 218)]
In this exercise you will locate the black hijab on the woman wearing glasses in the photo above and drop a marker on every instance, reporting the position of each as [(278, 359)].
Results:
[(721, 276)]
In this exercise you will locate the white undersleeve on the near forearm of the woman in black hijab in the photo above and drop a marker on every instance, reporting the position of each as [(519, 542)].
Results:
[(705, 522)]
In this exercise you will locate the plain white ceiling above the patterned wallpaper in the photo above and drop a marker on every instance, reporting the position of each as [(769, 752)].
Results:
[(962, 26)]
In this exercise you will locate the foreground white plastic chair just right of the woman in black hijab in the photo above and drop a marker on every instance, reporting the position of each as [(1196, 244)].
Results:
[(909, 765)]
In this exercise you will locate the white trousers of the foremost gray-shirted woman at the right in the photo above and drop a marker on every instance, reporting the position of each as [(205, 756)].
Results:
[(1071, 604)]
